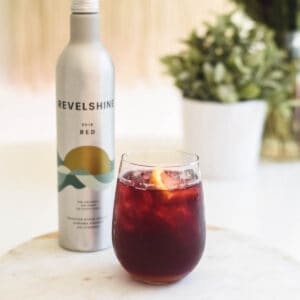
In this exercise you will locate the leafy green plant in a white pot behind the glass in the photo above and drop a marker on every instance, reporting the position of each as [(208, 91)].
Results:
[(227, 76)]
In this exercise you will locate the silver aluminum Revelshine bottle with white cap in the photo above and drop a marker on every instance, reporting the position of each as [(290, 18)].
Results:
[(85, 134)]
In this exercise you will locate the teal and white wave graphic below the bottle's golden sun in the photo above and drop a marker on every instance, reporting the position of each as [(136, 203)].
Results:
[(80, 179)]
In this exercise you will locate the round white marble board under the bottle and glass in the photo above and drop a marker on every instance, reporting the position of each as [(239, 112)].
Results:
[(241, 268)]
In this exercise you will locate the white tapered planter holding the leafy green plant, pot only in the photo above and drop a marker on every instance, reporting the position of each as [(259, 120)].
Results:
[(227, 137)]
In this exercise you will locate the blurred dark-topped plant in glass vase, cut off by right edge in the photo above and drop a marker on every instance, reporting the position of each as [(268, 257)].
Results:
[(282, 134)]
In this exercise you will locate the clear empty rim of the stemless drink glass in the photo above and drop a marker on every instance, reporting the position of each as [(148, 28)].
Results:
[(194, 159)]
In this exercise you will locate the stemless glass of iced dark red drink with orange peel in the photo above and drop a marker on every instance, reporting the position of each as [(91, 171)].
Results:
[(158, 222)]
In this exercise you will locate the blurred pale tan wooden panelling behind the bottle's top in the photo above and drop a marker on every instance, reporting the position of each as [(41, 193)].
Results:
[(136, 32)]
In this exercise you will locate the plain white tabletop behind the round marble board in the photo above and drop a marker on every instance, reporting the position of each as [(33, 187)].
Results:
[(265, 206)]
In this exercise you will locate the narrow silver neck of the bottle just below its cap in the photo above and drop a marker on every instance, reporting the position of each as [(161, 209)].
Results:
[(85, 28)]
